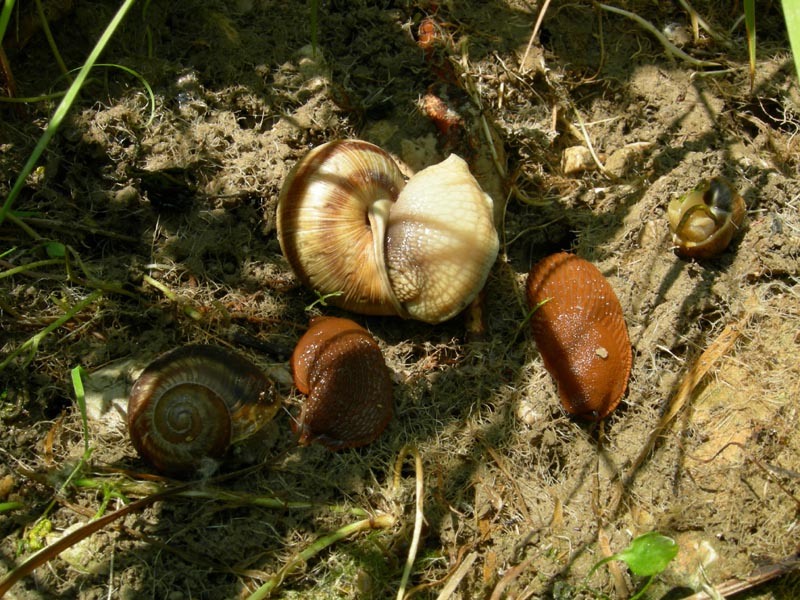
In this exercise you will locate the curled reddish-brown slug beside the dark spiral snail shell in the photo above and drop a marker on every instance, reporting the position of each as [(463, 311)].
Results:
[(339, 365)]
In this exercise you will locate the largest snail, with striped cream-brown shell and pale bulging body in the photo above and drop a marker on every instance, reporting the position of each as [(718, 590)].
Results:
[(349, 224)]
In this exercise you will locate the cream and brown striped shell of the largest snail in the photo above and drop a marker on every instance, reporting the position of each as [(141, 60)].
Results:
[(324, 224)]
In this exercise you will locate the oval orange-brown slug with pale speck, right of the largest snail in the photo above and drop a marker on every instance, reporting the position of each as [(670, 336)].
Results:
[(580, 332)]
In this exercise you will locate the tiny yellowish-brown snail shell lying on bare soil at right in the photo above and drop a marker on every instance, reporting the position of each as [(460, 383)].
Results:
[(704, 221)]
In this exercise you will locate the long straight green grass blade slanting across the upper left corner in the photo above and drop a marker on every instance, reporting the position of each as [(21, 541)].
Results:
[(64, 106)]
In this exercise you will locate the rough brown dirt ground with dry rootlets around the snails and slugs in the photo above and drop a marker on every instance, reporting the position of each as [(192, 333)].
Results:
[(173, 219)]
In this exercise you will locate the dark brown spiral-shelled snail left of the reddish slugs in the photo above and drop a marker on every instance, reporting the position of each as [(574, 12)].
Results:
[(189, 405)]
